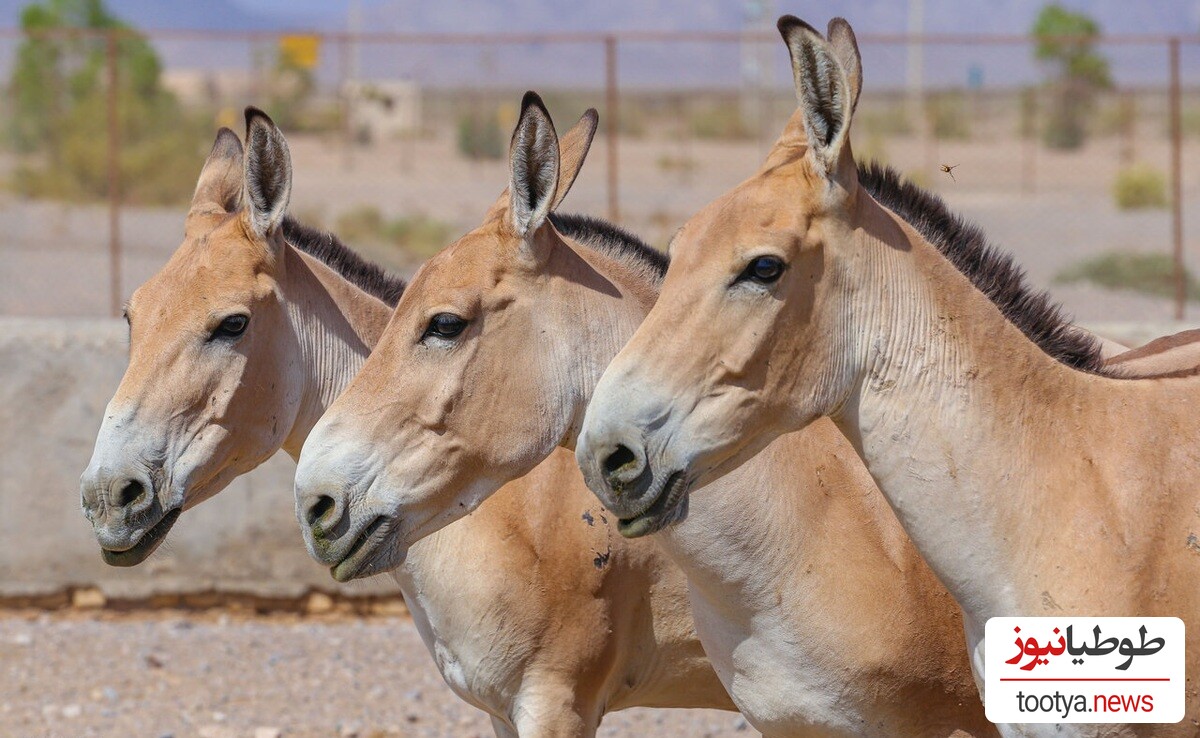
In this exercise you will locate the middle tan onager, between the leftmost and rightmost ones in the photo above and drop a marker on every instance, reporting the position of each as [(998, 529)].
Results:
[(817, 611)]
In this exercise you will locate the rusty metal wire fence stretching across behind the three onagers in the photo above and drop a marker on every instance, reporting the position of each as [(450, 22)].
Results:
[(399, 143)]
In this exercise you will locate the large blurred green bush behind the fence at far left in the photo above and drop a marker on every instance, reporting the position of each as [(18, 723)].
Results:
[(59, 121)]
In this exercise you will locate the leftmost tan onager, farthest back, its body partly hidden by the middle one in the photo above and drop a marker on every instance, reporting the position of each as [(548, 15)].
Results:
[(237, 347)]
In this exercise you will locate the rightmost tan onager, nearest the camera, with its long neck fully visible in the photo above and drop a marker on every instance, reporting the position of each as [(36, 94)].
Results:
[(1031, 481)]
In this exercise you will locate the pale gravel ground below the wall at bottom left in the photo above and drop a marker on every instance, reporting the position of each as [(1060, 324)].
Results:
[(220, 676)]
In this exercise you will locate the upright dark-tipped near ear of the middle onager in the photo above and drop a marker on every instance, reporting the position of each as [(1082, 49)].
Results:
[(533, 157)]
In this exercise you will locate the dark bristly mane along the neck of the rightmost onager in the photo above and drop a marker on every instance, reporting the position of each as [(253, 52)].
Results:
[(989, 269)]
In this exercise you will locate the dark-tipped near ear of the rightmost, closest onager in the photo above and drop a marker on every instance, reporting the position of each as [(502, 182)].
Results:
[(821, 88)]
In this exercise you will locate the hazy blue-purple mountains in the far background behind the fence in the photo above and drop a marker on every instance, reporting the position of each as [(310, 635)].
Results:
[(655, 65)]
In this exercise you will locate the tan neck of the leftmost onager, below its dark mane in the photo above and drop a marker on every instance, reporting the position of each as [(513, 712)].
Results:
[(337, 325)]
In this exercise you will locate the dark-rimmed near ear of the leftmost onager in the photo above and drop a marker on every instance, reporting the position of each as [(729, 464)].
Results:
[(268, 181)]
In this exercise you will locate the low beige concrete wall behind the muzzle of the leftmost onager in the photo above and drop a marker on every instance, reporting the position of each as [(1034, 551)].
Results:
[(57, 379)]
